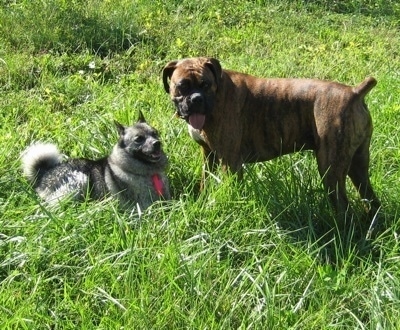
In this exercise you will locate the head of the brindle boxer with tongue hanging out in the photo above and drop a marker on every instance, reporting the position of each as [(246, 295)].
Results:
[(192, 84)]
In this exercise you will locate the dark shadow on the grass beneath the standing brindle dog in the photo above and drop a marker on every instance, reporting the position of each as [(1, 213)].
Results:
[(299, 205)]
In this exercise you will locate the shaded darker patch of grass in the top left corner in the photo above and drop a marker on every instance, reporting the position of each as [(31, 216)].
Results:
[(79, 26)]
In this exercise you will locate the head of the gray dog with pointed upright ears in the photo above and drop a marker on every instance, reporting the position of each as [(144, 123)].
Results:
[(141, 141)]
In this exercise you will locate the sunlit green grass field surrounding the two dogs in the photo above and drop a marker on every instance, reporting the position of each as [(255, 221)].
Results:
[(262, 254)]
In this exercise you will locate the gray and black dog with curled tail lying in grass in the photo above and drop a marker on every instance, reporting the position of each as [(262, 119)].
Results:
[(134, 172)]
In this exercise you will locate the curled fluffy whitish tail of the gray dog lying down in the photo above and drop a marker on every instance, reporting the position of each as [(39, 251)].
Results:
[(39, 157)]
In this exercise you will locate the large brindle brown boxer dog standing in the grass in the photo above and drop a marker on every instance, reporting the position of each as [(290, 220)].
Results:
[(238, 118)]
